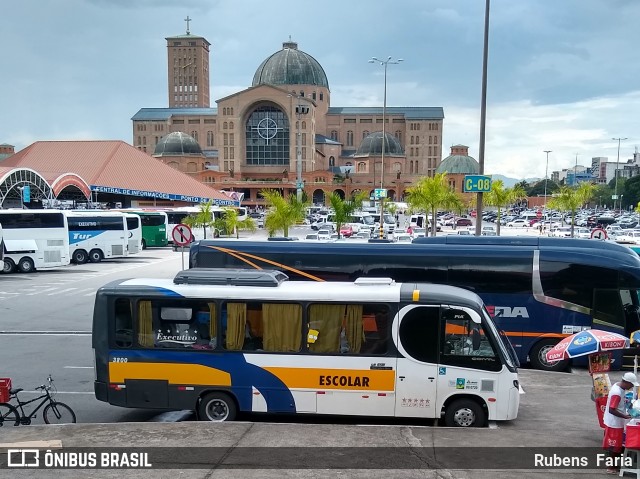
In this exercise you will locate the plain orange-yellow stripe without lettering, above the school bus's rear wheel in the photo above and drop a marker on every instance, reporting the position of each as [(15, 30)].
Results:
[(194, 374)]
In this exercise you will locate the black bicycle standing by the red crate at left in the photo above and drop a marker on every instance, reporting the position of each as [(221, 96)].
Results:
[(54, 412)]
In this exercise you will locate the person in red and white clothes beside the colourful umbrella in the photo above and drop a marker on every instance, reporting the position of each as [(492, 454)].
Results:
[(615, 417)]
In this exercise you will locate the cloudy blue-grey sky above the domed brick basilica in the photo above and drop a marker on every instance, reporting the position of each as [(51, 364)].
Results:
[(562, 75)]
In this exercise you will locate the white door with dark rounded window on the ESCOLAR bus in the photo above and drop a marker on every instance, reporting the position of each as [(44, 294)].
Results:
[(417, 368)]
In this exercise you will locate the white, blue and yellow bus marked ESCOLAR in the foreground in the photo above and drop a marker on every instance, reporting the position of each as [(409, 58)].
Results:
[(222, 341)]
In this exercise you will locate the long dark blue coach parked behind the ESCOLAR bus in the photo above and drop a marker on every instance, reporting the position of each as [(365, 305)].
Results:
[(539, 290)]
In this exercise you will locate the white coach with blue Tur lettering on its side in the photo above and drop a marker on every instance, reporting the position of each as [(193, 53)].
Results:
[(96, 235)]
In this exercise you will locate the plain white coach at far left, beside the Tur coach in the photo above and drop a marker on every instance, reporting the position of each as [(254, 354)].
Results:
[(34, 239)]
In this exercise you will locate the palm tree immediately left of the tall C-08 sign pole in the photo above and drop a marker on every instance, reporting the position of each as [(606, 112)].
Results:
[(430, 194)]
